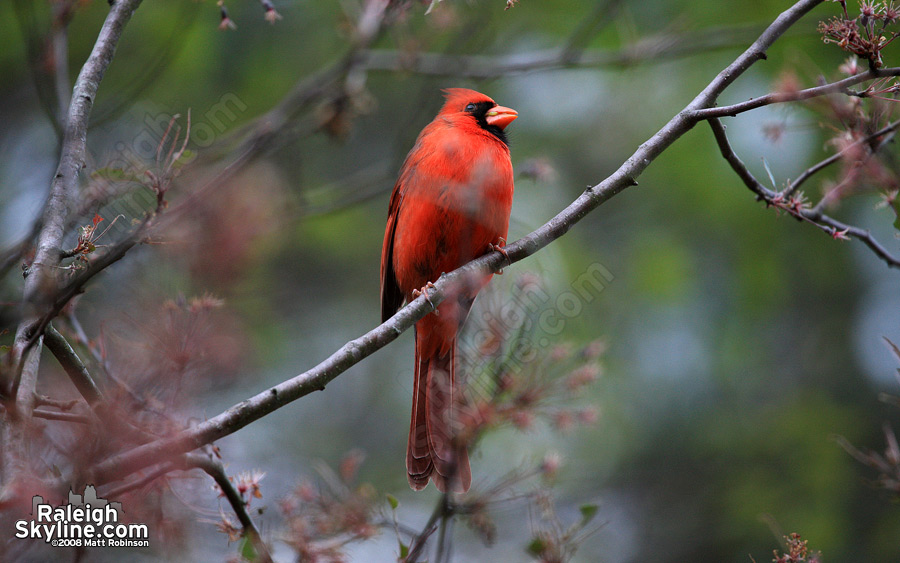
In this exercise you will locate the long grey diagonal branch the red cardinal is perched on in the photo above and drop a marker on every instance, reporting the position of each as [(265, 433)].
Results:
[(254, 408)]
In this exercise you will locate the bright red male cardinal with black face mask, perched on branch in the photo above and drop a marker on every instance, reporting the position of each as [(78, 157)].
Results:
[(450, 205)]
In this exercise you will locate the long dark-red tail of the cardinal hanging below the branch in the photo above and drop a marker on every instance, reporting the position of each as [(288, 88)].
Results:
[(433, 450)]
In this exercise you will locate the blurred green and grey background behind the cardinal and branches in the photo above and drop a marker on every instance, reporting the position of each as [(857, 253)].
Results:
[(740, 343)]
